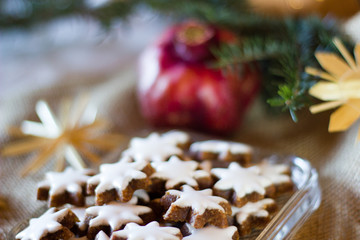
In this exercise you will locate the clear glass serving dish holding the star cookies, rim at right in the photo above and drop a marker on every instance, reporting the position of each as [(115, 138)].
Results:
[(294, 207)]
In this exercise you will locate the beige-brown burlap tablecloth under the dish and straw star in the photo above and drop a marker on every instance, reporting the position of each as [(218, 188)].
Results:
[(336, 156)]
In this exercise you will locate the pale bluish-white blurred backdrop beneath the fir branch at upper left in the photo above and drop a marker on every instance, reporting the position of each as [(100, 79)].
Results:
[(67, 47)]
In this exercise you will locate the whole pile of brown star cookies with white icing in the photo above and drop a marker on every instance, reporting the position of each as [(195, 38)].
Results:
[(164, 187)]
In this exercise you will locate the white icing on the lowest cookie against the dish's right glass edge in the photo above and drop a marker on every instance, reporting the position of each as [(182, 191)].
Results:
[(256, 209)]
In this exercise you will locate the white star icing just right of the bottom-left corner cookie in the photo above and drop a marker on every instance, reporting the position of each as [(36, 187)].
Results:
[(116, 214)]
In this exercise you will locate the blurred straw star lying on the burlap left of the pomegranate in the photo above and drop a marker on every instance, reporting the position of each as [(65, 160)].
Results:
[(68, 137)]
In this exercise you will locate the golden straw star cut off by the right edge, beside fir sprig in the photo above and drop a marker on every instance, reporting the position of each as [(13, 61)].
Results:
[(340, 87)]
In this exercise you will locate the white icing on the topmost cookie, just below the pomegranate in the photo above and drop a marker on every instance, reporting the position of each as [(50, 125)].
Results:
[(155, 147)]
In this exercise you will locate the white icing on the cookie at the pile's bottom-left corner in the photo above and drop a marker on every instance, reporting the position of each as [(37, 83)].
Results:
[(46, 223)]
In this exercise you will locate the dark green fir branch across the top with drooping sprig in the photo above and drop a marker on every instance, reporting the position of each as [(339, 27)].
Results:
[(283, 47)]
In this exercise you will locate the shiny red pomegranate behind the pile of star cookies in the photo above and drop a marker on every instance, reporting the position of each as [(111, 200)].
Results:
[(178, 88)]
